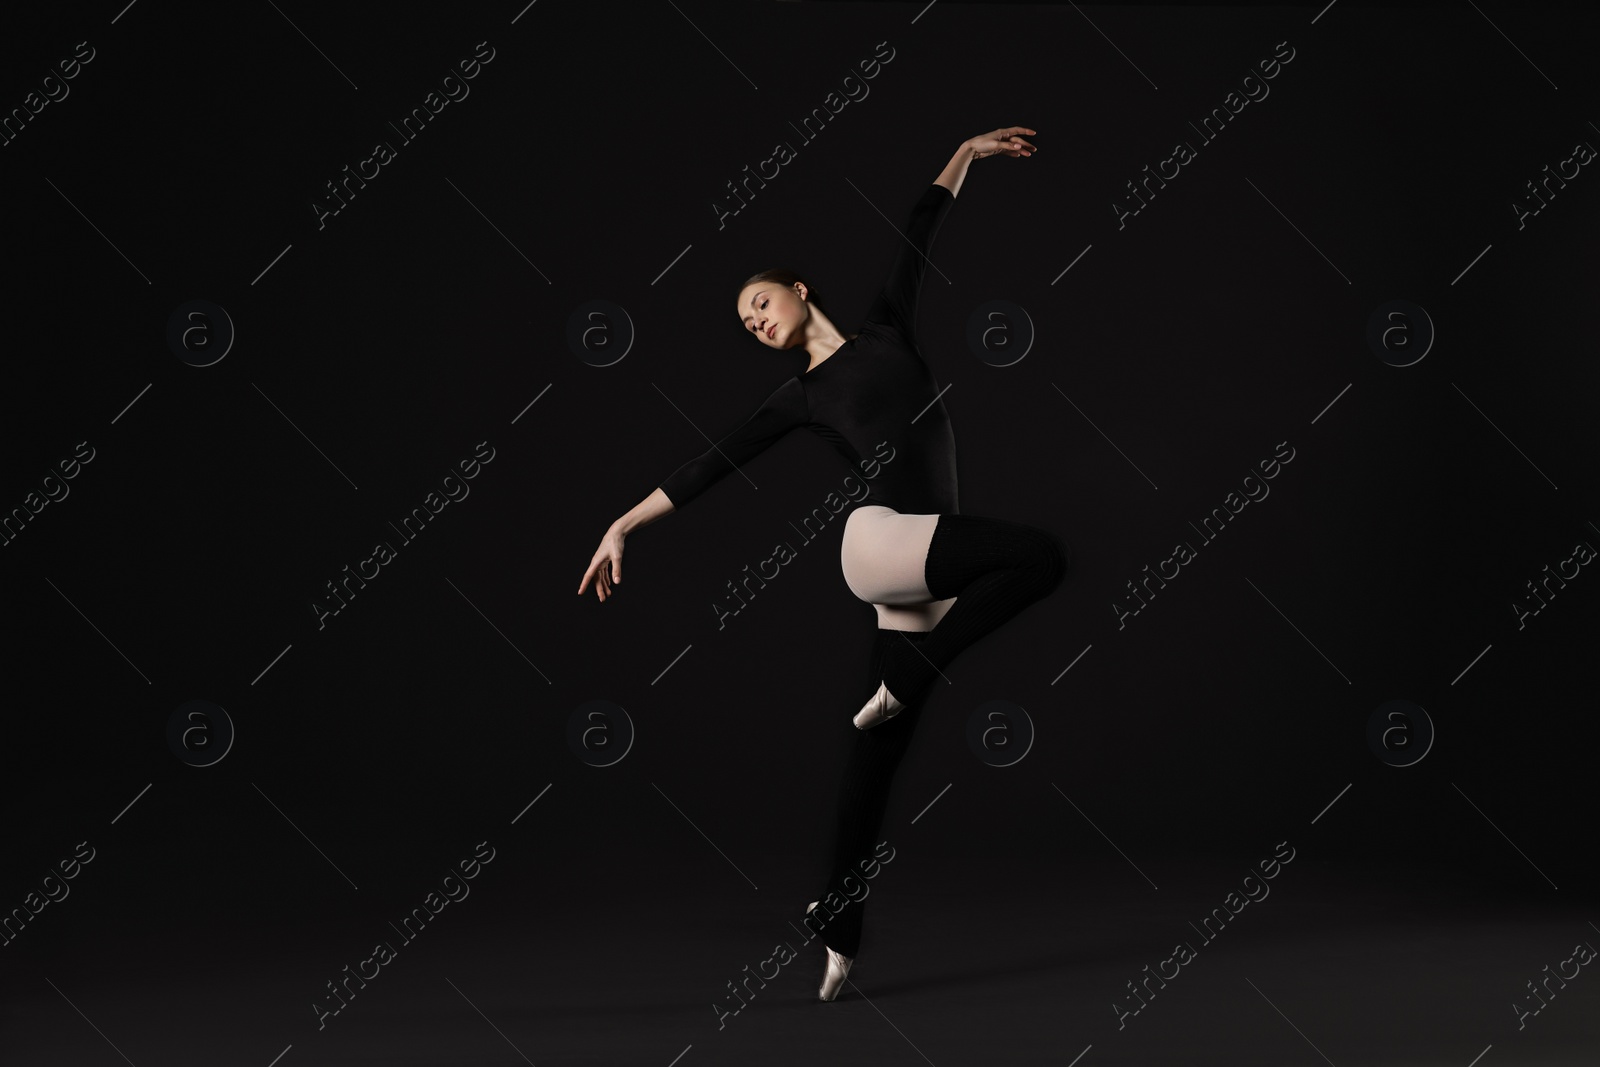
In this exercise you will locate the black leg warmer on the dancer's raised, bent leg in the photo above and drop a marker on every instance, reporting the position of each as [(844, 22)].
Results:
[(994, 569)]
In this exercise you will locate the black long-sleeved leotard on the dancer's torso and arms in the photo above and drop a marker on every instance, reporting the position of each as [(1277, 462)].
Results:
[(874, 399)]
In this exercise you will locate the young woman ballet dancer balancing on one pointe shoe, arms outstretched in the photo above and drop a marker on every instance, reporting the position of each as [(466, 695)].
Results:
[(937, 578)]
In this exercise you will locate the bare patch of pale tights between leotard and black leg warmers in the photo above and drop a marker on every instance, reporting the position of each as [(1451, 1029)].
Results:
[(884, 556)]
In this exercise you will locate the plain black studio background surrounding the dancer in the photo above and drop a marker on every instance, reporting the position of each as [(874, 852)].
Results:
[(425, 717)]
